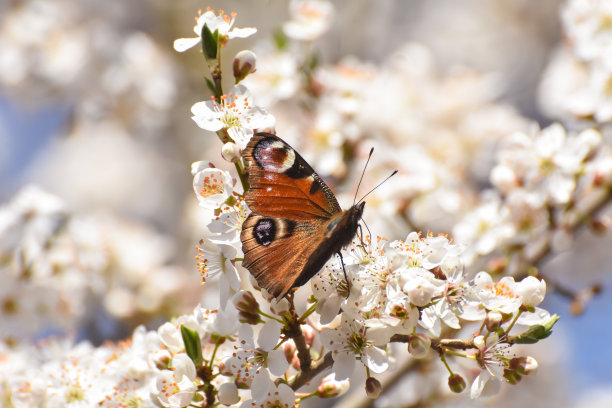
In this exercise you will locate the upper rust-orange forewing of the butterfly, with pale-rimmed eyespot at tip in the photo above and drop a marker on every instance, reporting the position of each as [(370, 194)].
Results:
[(282, 184)]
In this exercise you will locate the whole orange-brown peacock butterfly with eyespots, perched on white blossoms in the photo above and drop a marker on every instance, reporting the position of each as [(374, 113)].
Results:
[(296, 223)]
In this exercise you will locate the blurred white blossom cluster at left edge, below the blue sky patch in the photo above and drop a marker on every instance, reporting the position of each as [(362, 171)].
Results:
[(59, 267)]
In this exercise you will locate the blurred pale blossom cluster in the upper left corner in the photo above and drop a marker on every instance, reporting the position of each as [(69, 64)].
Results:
[(85, 57)]
